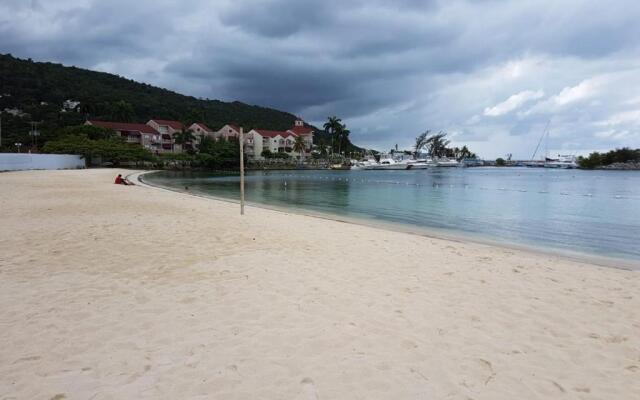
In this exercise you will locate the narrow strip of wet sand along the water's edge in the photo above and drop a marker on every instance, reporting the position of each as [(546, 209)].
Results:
[(460, 237)]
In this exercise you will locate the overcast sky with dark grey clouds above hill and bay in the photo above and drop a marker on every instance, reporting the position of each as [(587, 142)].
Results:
[(491, 73)]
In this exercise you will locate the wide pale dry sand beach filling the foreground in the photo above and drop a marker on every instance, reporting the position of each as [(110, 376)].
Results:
[(113, 292)]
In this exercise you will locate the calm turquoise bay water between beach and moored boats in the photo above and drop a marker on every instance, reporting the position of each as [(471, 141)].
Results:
[(589, 212)]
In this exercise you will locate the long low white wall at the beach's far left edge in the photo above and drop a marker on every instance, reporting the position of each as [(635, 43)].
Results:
[(15, 161)]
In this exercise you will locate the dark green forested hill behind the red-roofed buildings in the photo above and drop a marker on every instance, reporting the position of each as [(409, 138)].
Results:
[(39, 89)]
